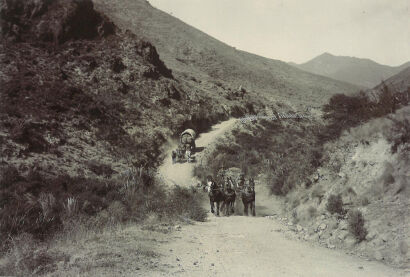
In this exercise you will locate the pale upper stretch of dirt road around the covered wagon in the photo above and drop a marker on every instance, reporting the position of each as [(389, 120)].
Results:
[(182, 173)]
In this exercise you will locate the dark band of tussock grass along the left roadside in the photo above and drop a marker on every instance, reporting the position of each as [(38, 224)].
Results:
[(27, 208)]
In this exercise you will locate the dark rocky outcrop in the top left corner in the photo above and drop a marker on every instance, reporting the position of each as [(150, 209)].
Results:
[(52, 20)]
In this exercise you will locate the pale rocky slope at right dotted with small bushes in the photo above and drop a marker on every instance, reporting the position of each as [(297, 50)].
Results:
[(359, 197)]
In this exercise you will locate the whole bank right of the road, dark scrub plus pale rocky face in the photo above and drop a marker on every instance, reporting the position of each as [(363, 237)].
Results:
[(345, 175)]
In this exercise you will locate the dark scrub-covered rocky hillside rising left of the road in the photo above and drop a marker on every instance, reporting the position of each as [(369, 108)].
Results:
[(84, 106)]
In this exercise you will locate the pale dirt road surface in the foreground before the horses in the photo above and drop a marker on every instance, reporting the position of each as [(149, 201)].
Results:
[(255, 246)]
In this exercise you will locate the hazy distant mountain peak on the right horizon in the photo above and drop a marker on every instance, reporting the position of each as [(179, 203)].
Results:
[(361, 72)]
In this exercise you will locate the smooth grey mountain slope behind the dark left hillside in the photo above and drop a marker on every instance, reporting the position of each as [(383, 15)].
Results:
[(187, 50)]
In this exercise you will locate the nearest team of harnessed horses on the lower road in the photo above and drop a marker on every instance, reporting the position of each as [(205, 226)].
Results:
[(225, 195)]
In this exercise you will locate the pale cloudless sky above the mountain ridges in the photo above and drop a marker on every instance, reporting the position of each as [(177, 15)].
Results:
[(299, 30)]
